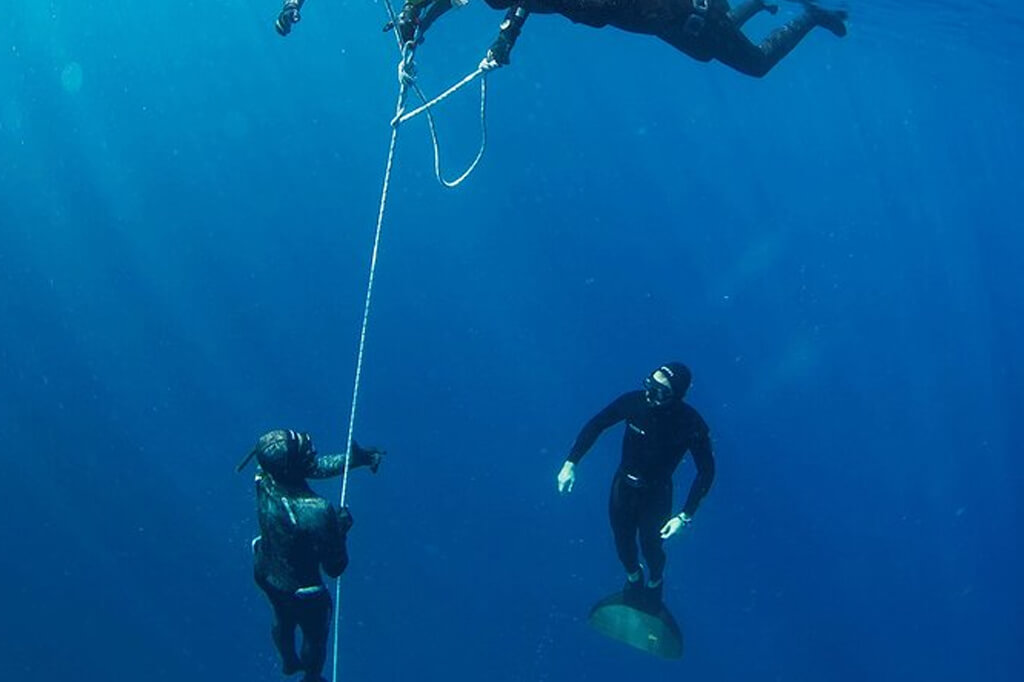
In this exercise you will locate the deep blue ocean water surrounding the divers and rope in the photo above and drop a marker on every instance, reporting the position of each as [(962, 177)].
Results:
[(187, 210)]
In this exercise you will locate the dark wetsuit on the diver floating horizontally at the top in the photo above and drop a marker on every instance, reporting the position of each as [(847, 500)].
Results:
[(704, 30)]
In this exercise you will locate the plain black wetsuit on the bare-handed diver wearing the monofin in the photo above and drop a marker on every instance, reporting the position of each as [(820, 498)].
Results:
[(657, 439)]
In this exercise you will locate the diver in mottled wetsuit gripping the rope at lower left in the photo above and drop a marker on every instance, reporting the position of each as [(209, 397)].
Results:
[(301, 533)]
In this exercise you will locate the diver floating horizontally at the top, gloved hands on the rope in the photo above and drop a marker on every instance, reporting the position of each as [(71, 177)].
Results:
[(705, 30)]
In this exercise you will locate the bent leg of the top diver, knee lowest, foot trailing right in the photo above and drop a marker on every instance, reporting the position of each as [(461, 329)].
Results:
[(735, 50)]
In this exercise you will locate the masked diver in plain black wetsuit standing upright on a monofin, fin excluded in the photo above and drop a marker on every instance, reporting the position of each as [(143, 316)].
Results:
[(660, 431)]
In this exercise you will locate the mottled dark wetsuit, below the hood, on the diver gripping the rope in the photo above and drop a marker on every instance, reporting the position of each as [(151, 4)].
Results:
[(302, 533)]
